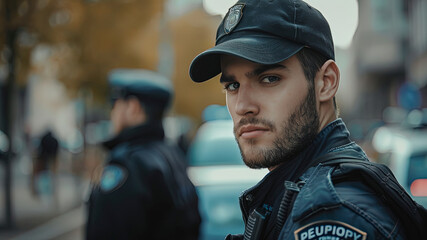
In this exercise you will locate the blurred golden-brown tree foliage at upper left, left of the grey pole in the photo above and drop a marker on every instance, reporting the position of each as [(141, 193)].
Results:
[(90, 37)]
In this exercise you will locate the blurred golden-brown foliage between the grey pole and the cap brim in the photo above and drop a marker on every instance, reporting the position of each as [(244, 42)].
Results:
[(193, 33)]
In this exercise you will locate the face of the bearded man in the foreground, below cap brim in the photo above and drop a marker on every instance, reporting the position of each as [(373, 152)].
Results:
[(273, 109)]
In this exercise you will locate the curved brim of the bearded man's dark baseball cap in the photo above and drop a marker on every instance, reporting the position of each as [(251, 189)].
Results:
[(260, 49)]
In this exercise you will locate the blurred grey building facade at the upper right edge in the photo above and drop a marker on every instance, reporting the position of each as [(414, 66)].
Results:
[(390, 55)]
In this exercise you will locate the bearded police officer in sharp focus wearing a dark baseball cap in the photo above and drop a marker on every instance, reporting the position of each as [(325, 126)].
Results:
[(278, 71)]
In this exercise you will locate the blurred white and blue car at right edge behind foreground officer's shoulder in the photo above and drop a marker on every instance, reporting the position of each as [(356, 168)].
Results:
[(404, 150)]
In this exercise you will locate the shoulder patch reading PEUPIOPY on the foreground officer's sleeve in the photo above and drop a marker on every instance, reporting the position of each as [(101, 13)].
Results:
[(329, 230)]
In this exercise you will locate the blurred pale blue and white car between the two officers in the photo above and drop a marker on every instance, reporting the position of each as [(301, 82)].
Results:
[(220, 176)]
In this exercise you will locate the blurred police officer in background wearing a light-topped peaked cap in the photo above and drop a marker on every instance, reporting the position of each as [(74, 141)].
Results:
[(144, 191)]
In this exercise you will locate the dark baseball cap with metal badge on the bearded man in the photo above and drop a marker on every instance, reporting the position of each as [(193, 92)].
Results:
[(265, 32)]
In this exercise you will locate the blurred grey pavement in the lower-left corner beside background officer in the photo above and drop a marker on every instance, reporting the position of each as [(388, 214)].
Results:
[(41, 218)]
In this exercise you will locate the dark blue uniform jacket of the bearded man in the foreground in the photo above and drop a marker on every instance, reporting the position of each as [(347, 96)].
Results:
[(322, 208)]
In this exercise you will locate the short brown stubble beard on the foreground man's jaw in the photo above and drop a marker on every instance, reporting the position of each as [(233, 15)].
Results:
[(296, 133)]
